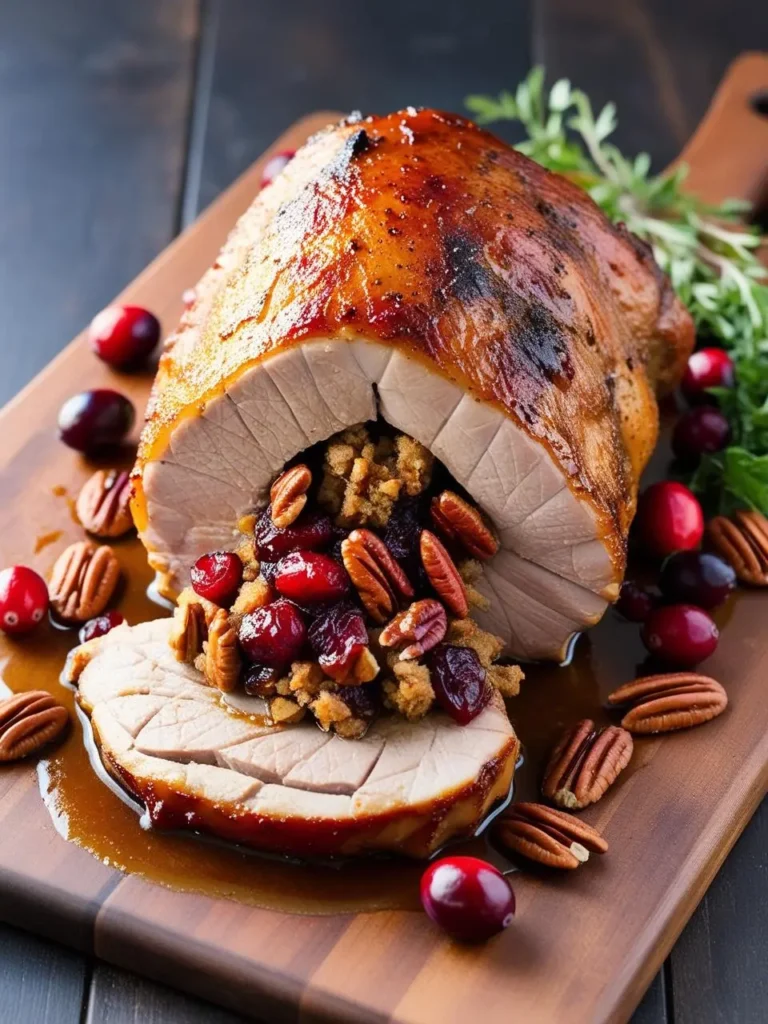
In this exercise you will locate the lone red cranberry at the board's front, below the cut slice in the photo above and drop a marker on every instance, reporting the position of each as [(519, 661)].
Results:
[(467, 898)]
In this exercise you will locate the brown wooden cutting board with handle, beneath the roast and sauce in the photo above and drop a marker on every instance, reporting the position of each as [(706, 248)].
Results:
[(583, 949)]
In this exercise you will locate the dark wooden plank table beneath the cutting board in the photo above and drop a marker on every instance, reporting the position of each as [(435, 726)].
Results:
[(120, 121)]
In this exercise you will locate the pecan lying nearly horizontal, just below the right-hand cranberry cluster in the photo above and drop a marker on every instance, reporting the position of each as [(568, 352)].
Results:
[(673, 701)]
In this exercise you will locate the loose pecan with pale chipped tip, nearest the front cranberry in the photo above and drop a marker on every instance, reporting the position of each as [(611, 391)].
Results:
[(548, 837)]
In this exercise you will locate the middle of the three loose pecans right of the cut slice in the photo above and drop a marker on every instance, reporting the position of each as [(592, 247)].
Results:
[(585, 763)]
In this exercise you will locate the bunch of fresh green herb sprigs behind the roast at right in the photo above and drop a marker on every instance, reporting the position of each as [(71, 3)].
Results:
[(709, 253)]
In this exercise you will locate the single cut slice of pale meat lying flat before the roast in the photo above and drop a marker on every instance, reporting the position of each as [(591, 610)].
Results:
[(199, 760)]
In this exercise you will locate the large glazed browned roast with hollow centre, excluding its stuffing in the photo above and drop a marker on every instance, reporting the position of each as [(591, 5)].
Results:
[(415, 268)]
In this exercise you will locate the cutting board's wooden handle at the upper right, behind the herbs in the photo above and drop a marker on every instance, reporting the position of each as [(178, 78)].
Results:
[(729, 153)]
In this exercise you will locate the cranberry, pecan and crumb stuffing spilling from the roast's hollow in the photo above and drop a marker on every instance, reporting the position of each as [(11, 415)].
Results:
[(351, 595)]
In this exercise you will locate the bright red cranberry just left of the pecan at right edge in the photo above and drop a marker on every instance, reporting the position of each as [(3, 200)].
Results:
[(669, 519)]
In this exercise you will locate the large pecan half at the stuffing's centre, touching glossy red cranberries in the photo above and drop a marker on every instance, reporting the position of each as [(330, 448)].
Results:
[(377, 577)]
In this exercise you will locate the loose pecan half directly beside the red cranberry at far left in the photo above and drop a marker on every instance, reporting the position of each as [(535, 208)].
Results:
[(83, 580)]
